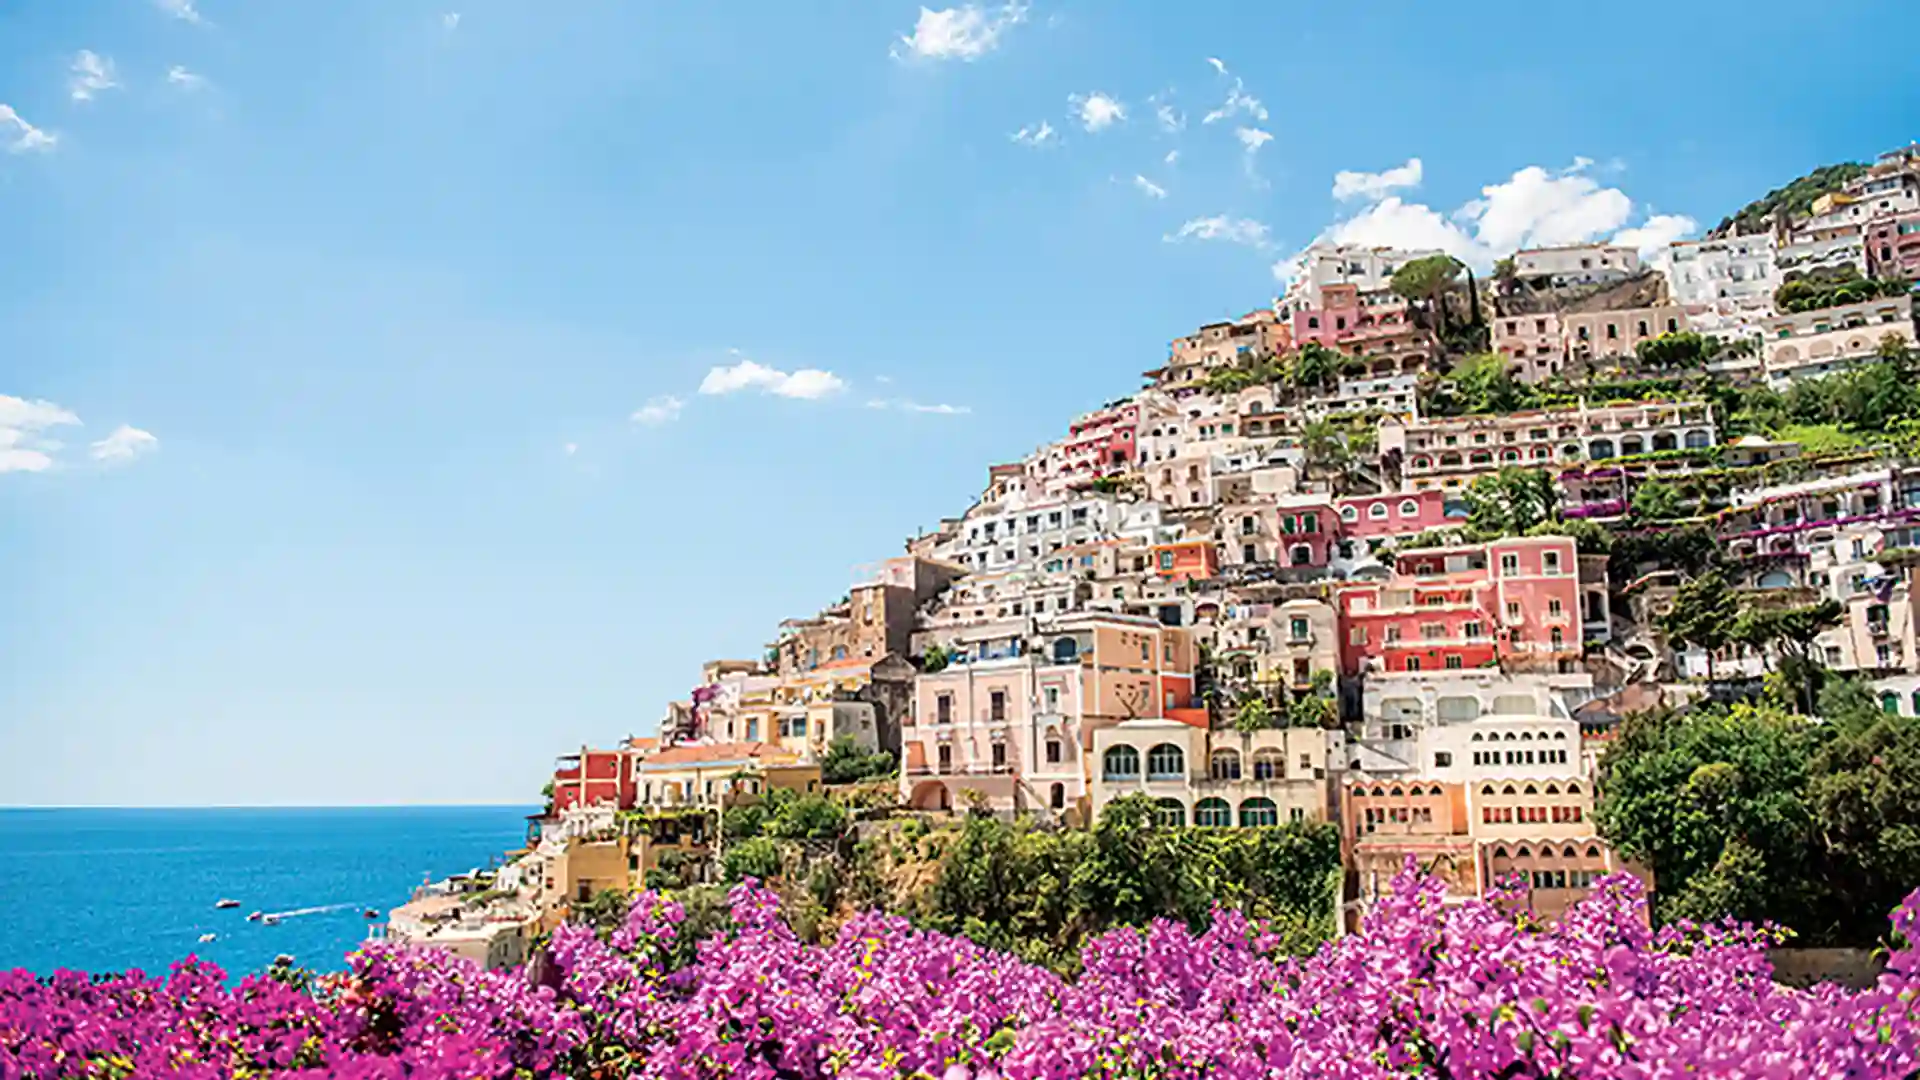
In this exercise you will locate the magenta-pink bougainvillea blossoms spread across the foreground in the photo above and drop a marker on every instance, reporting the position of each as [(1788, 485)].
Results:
[(1422, 991)]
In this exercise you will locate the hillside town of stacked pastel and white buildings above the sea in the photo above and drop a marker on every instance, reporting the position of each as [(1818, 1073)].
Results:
[(1397, 552)]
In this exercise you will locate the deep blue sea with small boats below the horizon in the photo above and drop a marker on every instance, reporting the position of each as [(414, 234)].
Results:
[(133, 889)]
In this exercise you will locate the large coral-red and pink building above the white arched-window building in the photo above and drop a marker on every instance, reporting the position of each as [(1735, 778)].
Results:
[(1514, 602)]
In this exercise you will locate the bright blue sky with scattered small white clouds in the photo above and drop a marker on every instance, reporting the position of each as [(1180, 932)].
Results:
[(352, 426)]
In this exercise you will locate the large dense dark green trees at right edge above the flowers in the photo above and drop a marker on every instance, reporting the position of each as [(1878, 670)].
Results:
[(1760, 814)]
